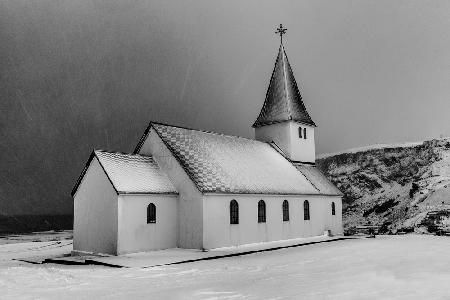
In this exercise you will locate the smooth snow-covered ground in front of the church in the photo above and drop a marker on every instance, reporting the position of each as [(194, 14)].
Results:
[(390, 267)]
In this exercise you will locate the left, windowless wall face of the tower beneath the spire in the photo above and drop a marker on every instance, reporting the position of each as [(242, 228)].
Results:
[(278, 133)]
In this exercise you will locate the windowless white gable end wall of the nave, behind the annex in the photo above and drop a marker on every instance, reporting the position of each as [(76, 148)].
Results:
[(190, 200)]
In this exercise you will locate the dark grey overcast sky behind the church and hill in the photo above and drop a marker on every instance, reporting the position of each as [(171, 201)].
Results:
[(78, 75)]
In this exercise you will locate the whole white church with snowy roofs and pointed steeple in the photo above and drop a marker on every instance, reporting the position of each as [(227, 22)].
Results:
[(196, 189)]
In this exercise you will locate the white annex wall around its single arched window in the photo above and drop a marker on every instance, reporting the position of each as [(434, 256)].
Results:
[(135, 234)]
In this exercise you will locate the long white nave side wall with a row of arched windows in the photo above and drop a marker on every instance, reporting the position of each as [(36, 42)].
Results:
[(218, 232)]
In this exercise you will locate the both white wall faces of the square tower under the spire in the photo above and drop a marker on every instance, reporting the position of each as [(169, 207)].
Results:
[(286, 136)]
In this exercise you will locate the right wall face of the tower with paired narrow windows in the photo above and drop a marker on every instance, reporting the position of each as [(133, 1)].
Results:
[(302, 149)]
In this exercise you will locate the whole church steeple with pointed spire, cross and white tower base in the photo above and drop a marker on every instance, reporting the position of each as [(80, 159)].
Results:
[(283, 119)]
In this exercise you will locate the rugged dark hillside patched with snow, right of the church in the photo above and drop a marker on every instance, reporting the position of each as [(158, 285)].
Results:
[(398, 186)]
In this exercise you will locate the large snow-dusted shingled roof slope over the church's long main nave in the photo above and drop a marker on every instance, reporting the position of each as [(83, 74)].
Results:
[(228, 164)]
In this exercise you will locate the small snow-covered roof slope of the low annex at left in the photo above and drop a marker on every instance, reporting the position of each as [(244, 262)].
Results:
[(131, 173)]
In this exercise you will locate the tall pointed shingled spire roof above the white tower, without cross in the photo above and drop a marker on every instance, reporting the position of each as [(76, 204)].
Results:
[(283, 100)]
